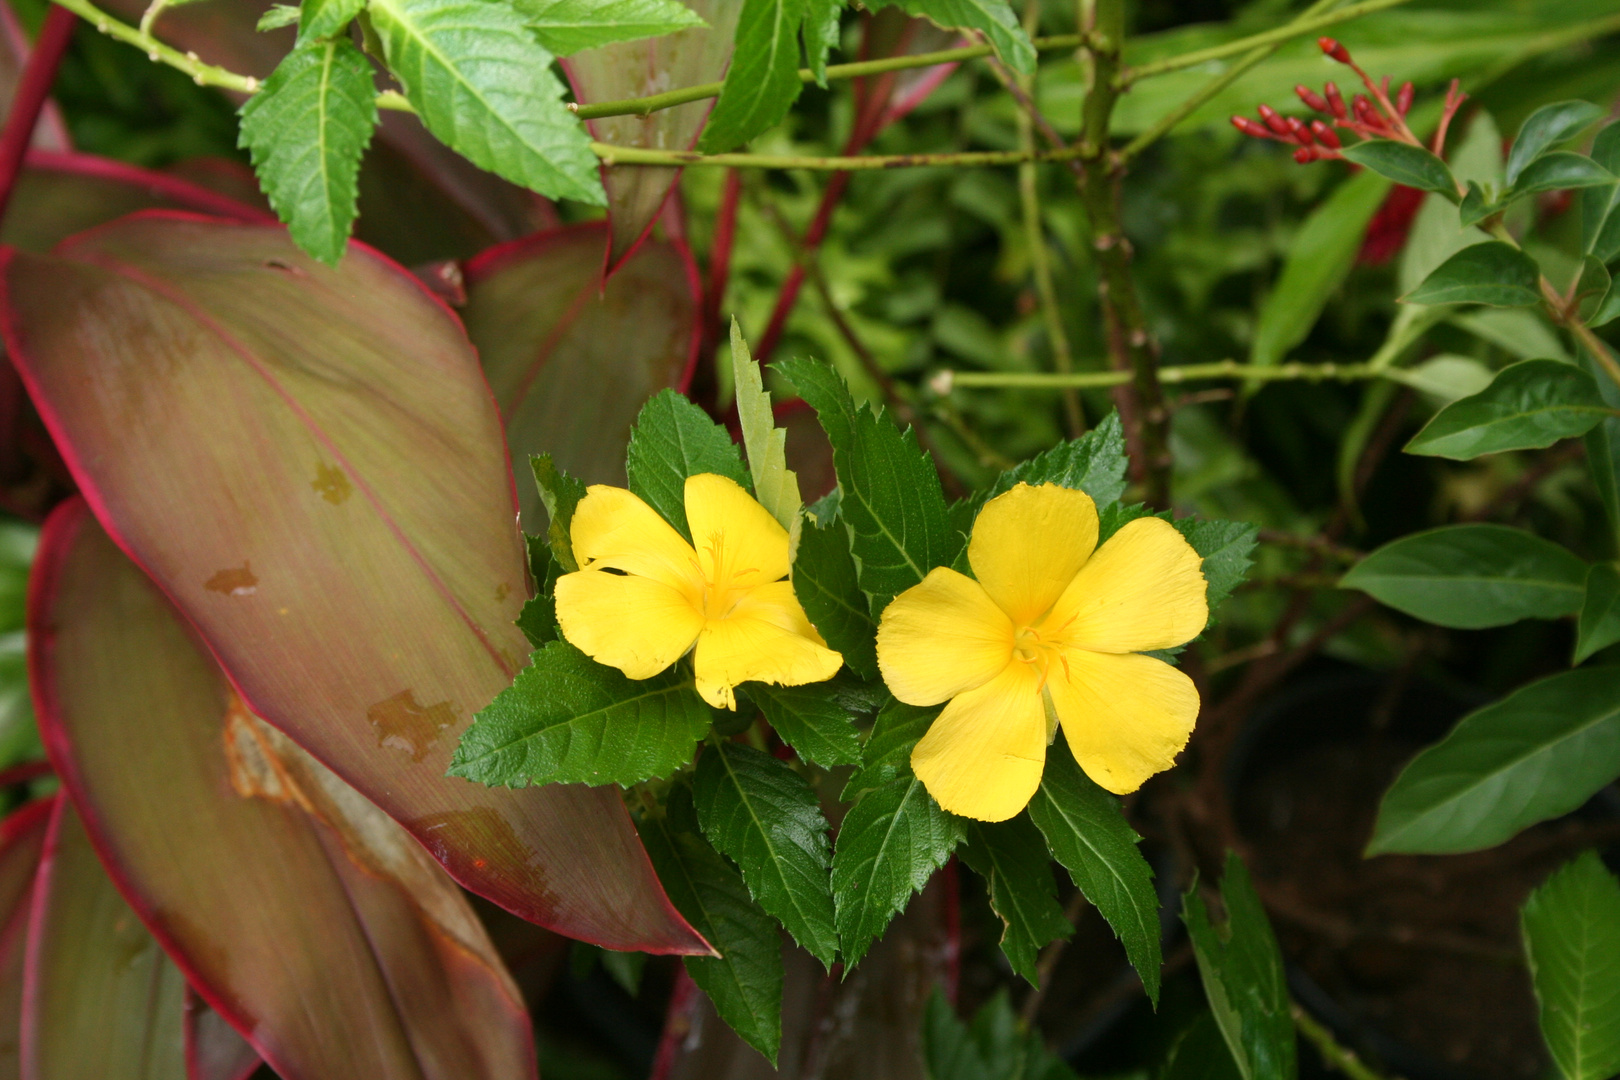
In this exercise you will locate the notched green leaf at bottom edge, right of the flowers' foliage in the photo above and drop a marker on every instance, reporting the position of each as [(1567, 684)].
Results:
[(1243, 977)]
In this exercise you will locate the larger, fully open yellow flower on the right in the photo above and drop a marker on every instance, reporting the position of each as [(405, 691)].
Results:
[(1049, 636)]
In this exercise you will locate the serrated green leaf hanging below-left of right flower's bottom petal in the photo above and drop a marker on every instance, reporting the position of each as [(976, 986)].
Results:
[(890, 844)]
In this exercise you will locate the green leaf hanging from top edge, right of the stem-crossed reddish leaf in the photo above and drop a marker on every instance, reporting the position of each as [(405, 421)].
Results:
[(764, 80)]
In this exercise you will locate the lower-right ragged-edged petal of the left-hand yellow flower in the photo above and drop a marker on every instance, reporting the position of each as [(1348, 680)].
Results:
[(765, 639)]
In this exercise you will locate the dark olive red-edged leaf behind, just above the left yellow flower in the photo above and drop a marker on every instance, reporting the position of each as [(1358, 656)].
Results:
[(571, 362)]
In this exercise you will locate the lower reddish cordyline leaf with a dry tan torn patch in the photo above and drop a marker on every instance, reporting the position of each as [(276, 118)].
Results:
[(299, 909)]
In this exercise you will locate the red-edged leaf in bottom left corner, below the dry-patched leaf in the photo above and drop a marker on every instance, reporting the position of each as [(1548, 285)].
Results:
[(101, 1000)]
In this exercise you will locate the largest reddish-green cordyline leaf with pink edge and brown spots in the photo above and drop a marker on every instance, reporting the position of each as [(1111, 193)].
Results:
[(372, 614)]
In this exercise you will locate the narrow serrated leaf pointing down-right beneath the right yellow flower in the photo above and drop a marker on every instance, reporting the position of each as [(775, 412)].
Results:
[(1088, 833)]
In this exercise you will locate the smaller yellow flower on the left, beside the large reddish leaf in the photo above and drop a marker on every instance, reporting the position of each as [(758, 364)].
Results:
[(644, 597)]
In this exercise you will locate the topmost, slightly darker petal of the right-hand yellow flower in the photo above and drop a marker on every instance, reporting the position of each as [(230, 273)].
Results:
[(1030, 543)]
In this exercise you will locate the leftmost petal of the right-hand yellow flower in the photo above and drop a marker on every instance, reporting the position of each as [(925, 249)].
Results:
[(942, 637)]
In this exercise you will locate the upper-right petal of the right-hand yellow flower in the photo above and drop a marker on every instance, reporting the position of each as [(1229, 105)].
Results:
[(1143, 590)]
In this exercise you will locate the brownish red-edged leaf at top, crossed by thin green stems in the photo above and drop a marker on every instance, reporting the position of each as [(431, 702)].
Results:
[(636, 70)]
